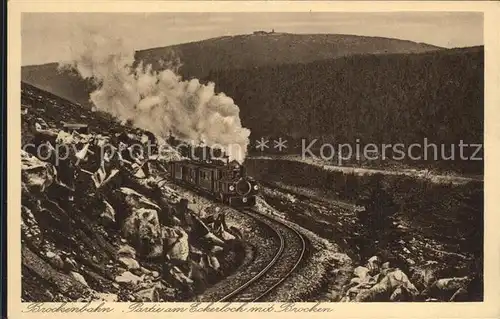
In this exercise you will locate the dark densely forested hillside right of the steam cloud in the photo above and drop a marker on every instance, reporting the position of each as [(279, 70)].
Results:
[(393, 98)]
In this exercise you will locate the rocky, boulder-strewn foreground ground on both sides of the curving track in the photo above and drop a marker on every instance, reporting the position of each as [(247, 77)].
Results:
[(120, 235)]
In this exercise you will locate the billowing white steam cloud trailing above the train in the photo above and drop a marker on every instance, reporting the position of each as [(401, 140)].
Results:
[(160, 102)]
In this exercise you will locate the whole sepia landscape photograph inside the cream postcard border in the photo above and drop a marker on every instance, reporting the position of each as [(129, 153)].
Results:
[(244, 157)]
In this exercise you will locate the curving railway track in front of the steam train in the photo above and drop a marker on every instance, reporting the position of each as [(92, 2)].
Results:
[(286, 259)]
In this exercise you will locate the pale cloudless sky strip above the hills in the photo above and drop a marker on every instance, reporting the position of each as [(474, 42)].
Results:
[(47, 37)]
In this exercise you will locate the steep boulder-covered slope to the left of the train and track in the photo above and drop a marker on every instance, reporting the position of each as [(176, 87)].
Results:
[(111, 231)]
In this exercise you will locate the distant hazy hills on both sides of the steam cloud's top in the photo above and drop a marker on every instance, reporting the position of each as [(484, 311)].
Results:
[(235, 52)]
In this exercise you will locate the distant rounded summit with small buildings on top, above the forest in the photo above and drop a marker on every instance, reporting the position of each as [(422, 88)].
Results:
[(248, 51)]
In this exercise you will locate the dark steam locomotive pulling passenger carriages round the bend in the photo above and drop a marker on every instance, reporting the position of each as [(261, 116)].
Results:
[(225, 182)]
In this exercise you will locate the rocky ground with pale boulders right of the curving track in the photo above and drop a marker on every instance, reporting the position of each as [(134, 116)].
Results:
[(402, 264)]
